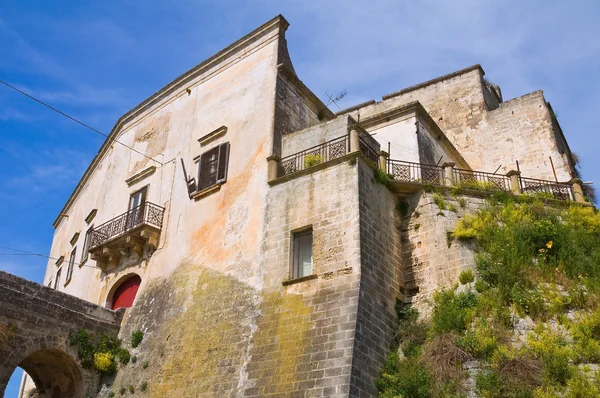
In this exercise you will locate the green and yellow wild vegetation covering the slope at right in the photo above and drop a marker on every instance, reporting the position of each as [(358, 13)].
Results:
[(536, 264)]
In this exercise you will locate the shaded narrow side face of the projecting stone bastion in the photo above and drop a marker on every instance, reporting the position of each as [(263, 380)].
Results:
[(380, 281)]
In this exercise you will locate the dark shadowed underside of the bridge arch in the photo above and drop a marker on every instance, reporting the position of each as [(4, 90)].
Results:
[(55, 374)]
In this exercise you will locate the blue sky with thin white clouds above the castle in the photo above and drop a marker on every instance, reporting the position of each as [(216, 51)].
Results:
[(95, 60)]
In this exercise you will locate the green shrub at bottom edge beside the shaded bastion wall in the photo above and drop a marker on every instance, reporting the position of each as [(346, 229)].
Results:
[(406, 378)]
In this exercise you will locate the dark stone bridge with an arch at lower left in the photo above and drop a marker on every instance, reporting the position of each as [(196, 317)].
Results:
[(35, 322)]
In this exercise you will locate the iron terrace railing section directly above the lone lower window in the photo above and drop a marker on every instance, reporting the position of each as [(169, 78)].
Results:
[(325, 152)]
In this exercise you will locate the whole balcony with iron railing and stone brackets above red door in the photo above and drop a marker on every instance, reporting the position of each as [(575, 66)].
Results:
[(126, 233)]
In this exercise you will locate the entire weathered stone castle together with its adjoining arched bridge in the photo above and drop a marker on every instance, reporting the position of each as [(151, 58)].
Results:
[(260, 241)]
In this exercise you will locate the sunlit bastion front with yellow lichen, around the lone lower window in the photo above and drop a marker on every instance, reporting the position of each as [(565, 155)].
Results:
[(304, 338)]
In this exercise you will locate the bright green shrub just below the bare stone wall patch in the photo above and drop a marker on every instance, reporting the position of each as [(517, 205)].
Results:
[(452, 311)]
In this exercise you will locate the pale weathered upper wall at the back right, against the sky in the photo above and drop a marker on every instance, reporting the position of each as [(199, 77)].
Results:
[(488, 134)]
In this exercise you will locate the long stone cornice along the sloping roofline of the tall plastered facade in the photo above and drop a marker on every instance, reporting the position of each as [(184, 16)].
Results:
[(278, 23)]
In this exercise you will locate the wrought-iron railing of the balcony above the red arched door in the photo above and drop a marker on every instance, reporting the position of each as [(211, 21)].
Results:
[(145, 214)]
